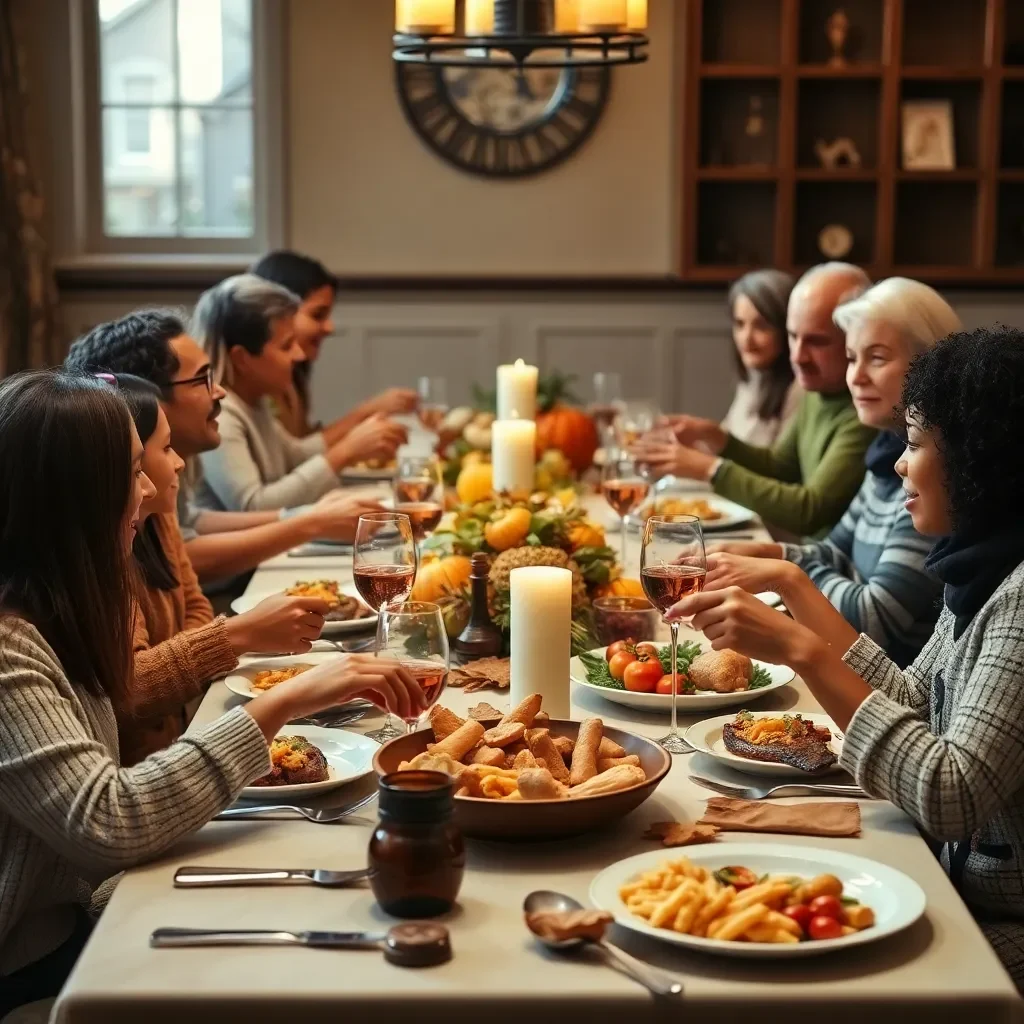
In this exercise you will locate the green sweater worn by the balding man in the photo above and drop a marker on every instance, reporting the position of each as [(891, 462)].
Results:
[(805, 482)]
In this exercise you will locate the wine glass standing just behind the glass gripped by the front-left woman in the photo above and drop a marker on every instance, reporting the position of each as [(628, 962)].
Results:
[(385, 562)]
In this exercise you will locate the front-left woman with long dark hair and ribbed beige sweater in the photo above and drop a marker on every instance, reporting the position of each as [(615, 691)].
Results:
[(70, 816)]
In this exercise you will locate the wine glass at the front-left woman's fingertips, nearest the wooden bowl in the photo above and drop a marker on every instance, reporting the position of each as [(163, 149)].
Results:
[(414, 634)]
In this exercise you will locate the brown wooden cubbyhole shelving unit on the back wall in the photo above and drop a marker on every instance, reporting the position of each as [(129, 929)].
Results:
[(763, 198)]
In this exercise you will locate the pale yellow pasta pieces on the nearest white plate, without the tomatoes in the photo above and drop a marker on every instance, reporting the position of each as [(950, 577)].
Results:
[(687, 899)]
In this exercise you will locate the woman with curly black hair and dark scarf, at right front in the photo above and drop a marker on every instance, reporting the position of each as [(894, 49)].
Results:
[(943, 740)]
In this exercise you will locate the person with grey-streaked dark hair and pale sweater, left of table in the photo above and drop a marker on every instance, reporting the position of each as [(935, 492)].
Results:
[(246, 325)]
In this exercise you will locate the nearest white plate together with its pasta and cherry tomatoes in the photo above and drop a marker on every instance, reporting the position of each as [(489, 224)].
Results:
[(759, 901)]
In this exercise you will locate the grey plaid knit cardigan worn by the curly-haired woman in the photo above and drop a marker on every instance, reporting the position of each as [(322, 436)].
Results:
[(945, 742)]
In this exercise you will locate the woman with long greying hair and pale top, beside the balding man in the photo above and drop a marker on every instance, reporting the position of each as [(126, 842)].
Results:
[(767, 397)]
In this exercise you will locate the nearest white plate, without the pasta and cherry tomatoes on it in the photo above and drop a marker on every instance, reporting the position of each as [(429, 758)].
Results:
[(898, 901)]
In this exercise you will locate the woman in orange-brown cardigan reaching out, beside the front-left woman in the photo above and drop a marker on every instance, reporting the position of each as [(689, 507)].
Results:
[(180, 646)]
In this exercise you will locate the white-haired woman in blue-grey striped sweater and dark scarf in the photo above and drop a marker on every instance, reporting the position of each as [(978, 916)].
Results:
[(871, 567)]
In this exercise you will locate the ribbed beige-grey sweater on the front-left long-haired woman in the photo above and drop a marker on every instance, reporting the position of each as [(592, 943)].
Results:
[(70, 816)]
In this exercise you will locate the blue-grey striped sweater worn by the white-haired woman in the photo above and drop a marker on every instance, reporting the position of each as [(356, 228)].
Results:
[(871, 568)]
